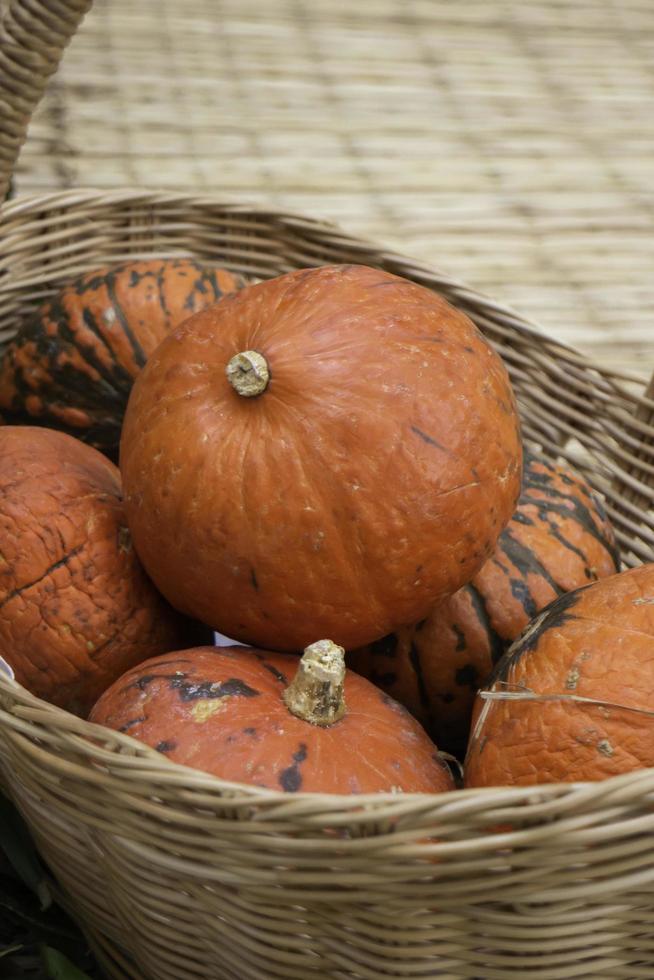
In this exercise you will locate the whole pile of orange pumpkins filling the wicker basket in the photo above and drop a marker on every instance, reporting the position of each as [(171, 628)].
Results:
[(327, 468)]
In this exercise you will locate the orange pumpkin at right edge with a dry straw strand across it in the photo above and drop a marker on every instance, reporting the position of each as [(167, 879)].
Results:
[(596, 642)]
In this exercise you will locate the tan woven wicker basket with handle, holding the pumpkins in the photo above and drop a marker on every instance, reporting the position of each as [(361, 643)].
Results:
[(176, 874)]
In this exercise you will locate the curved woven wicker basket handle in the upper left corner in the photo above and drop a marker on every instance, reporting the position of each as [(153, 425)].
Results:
[(33, 36)]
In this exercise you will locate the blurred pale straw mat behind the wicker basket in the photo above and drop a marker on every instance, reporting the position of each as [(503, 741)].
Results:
[(509, 144)]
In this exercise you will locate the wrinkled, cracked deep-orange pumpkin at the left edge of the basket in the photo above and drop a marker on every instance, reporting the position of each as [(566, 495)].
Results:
[(76, 607)]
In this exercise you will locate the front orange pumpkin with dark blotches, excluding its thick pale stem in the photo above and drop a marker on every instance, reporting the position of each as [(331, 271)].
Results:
[(221, 710)]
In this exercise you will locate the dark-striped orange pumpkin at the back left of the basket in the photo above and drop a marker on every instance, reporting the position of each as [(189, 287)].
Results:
[(72, 365)]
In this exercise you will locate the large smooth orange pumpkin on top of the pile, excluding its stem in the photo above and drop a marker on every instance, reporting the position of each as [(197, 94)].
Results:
[(371, 477)]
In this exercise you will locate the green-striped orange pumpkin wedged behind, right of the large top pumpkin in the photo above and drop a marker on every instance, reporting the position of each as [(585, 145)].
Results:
[(558, 539)]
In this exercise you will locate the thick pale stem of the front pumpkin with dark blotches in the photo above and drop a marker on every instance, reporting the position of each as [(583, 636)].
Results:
[(316, 692)]
